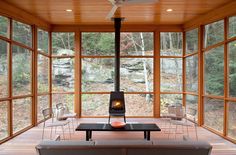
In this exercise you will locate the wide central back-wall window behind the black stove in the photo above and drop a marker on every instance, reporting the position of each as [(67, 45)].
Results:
[(136, 72)]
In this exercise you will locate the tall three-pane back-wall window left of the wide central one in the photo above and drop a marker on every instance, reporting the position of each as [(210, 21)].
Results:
[(63, 73)]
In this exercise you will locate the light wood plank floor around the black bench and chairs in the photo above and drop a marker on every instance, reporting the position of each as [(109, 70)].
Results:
[(25, 143)]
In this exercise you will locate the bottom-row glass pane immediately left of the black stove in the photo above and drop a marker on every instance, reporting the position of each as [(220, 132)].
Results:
[(95, 104)]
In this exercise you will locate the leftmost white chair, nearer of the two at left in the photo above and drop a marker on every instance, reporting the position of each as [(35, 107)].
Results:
[(47, 113)]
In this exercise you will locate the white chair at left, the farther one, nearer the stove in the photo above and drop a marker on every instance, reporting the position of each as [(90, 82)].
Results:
[(64, 113)]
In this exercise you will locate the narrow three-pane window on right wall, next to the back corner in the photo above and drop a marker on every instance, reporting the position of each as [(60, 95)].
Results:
[(191, 74)]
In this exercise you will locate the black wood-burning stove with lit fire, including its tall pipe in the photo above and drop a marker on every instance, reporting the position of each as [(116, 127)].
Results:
[(117, 99)]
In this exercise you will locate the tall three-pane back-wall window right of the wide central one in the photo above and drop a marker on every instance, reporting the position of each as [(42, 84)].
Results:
[(171, 69)]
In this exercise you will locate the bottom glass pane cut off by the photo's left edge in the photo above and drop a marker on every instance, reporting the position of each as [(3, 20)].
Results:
[(4, 119)]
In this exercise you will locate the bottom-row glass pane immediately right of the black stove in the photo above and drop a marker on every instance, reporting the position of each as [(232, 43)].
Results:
[(139, 104)]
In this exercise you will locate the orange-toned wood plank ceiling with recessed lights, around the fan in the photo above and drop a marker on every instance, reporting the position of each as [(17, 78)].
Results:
[(93, 12)]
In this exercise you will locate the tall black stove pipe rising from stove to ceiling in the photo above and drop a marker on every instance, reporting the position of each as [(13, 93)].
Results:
[(117, 53)]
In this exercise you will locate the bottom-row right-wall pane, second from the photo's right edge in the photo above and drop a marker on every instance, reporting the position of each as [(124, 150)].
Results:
[(214, 113)]
